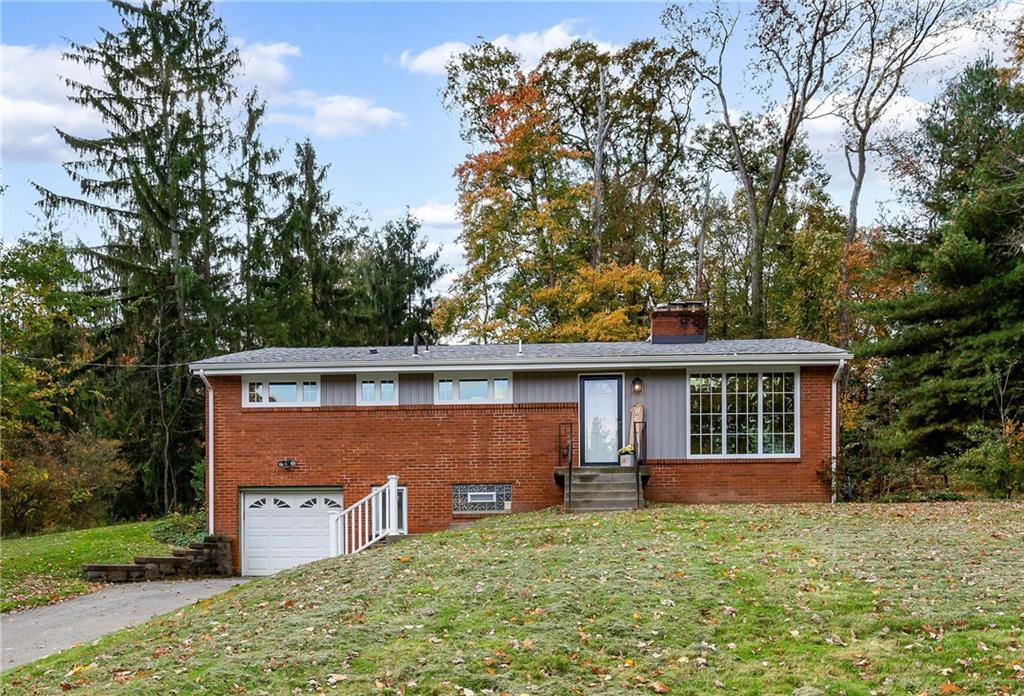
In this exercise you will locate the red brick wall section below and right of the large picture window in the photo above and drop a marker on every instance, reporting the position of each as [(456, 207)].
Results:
[(774, 481)]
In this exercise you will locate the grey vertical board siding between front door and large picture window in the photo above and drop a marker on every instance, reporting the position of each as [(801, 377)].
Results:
[(663, 397)]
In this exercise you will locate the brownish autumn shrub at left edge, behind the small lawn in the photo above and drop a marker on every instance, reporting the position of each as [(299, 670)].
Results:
[(59, 481)]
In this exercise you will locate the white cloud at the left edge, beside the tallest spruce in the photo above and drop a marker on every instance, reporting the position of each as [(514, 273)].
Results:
[(34, 102)]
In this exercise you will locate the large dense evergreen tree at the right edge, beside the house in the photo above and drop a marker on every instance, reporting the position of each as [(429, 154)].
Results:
[(953, 358)]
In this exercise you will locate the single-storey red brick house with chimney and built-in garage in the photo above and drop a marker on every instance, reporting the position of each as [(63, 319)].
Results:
[(297, 436)]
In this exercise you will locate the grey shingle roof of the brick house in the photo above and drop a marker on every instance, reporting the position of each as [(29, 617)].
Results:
[(508, 356)]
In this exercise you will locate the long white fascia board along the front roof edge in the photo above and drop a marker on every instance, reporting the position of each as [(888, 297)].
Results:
[(634, 363)]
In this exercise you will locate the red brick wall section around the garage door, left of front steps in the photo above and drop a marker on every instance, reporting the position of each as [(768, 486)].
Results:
[(430, 448)]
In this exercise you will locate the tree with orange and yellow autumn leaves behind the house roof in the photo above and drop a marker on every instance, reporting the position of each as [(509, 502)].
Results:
[(528, 238)]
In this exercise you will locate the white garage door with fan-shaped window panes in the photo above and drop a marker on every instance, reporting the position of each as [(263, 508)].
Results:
[(286, 529)]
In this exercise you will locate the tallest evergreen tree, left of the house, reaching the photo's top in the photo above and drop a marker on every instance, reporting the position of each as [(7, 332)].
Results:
[(153, 183)]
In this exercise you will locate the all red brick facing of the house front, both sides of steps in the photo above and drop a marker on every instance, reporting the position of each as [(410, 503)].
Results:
[(431, 448)]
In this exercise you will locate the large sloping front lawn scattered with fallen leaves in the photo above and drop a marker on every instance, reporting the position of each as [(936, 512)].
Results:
[(899, 599)]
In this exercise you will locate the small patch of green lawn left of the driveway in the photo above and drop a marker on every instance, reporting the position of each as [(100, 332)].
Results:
[(45, 569)]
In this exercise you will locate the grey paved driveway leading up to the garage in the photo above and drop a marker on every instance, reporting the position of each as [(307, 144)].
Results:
[(29, 635)]
